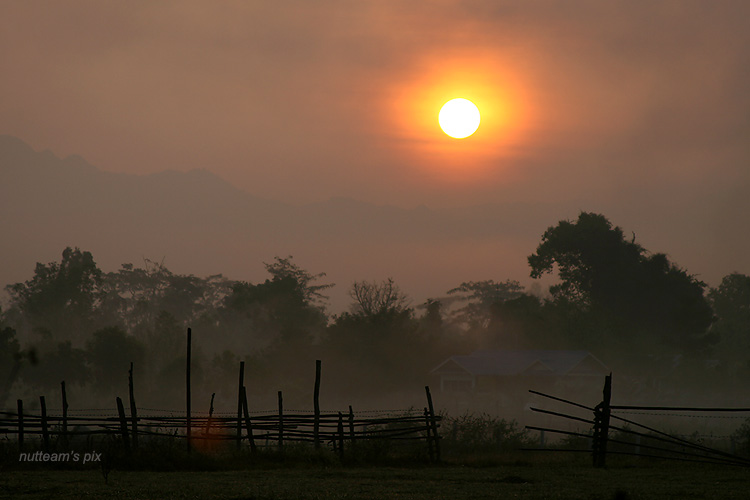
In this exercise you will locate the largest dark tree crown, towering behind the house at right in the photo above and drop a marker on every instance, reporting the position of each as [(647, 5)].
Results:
[(624, 290)]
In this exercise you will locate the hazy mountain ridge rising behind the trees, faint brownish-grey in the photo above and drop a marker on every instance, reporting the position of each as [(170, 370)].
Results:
[(200, 224)]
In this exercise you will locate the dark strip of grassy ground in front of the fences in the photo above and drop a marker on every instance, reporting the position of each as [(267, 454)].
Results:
[(557, 479)]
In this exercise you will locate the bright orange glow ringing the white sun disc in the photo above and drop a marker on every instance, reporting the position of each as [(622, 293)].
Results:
[(431, 148)]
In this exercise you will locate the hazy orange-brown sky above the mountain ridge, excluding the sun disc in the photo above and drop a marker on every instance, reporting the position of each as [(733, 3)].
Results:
[(300, 100)]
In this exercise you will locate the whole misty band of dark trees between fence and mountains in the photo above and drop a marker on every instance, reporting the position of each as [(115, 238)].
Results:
[(636, 310)]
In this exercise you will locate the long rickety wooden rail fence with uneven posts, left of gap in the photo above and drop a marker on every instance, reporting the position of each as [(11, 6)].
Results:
[(253, 429)]
